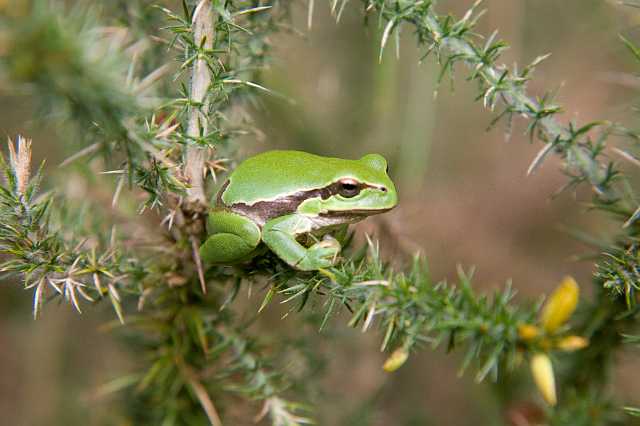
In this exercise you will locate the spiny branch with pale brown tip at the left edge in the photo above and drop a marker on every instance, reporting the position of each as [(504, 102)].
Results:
[(42, 257)]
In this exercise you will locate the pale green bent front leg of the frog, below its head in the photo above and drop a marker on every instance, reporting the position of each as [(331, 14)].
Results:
[(280, 234)]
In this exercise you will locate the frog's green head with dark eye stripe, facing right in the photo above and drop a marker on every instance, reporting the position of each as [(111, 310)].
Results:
[(359, 188)]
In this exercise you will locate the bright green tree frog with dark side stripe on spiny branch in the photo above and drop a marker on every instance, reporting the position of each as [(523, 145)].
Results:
[(293, 202)]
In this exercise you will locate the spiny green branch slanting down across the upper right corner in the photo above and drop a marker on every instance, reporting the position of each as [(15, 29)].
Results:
[(454, 41)]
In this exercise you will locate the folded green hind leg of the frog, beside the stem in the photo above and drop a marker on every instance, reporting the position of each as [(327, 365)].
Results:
[(232, 238)]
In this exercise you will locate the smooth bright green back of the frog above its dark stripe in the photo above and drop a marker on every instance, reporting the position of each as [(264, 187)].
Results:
[(276, 174)]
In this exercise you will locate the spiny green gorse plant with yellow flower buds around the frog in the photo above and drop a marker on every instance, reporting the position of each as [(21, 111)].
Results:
[(157, 103)]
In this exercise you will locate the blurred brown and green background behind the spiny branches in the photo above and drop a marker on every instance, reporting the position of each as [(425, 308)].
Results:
[(465, 199)]
